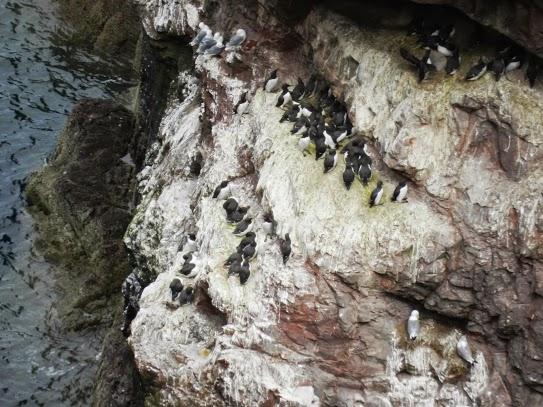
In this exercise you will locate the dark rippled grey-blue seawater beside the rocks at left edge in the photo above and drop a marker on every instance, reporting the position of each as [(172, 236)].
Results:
[(40, 79)]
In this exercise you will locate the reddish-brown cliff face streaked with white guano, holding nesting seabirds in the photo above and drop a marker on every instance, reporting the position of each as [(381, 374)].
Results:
[(328, 328)]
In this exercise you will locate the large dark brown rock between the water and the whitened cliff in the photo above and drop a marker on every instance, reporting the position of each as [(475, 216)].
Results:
[(81, 201)]
